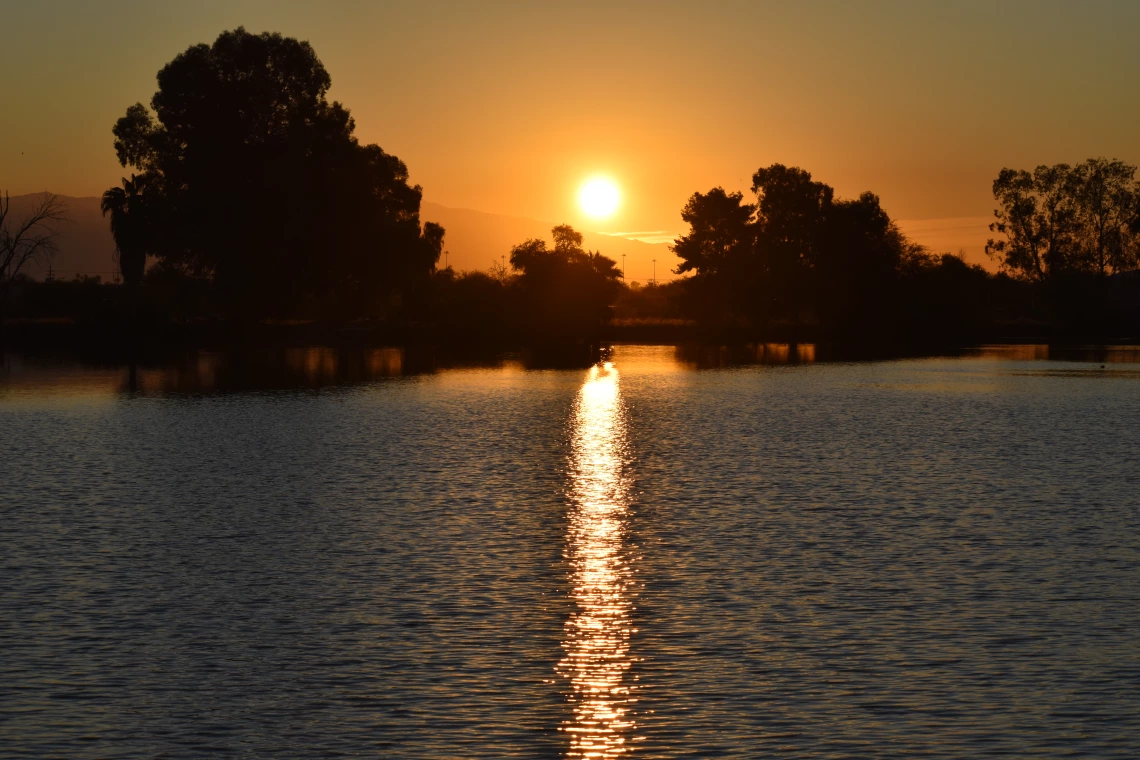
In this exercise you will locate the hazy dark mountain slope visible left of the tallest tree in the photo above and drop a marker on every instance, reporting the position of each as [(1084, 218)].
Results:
[(85, 242)]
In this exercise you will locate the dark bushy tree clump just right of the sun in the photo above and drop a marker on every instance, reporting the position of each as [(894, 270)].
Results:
[(797, 252)]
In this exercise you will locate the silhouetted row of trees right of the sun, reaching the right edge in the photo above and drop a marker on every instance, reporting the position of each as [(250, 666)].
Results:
[(797, 255)]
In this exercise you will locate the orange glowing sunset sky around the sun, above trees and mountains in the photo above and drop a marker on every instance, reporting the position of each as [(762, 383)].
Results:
[(508, 109)]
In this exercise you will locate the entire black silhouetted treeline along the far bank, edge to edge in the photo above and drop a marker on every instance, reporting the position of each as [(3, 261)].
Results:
[(253, 201)]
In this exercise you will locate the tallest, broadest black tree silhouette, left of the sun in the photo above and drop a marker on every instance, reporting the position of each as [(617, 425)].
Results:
[(263, 186)]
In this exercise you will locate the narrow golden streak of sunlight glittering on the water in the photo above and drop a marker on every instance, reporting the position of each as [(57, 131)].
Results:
[(598, 633)]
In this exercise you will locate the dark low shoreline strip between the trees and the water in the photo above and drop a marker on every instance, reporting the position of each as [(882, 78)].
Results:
[(429, 347)]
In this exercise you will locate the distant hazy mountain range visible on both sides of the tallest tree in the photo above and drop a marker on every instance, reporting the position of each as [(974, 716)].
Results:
[(475, 241)]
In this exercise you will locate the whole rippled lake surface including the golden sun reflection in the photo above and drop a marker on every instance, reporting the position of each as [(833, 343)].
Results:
[(934, 559)]
